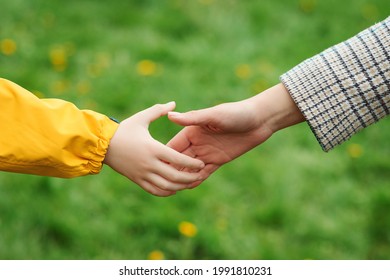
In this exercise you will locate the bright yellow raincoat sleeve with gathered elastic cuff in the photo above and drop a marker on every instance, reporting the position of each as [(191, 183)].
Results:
[(50, 137)]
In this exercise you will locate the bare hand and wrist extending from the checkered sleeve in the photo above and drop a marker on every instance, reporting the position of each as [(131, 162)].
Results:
[(220, 134)]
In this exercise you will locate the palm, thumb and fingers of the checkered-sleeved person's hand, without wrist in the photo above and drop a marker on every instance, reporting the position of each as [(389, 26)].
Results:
[(218, 134)]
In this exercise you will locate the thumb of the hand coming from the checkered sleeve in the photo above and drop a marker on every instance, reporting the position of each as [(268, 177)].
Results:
[(196, 117)]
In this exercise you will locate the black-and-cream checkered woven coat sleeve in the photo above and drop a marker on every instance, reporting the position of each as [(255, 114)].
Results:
[(346, 87)]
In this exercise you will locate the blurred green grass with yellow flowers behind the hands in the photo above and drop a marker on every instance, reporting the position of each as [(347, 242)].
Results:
[(284, 200)]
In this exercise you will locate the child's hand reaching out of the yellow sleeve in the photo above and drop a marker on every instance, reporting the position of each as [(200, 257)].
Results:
[(135, 154)]
